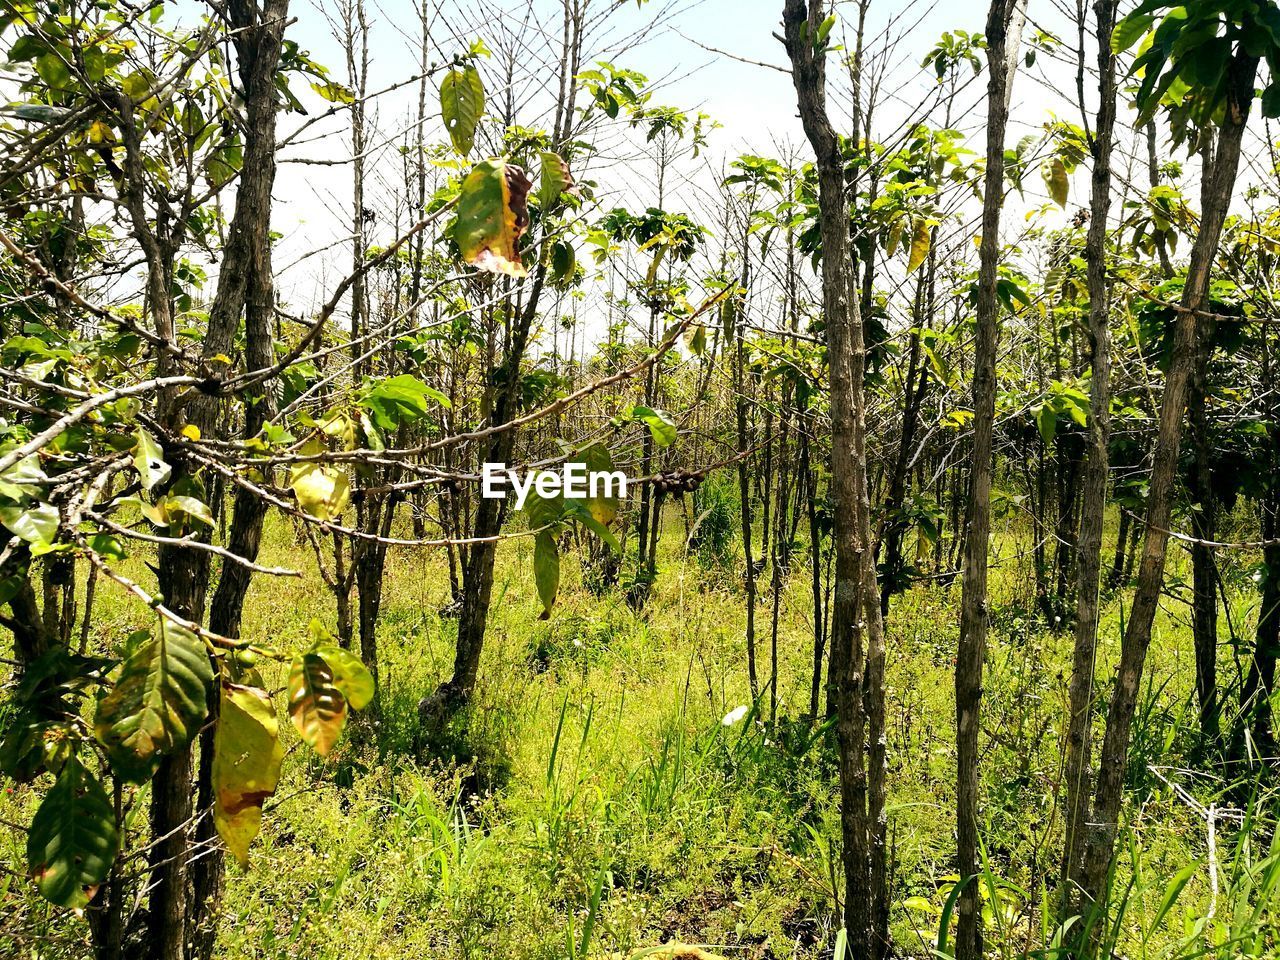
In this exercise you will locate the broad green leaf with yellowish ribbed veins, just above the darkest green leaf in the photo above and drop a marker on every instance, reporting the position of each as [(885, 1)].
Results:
[(158, 702)]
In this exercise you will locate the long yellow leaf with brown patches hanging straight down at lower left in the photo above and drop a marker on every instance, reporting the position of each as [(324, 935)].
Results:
[(248, 757)]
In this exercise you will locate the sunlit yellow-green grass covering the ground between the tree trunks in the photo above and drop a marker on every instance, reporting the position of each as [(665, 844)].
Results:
[(607, 794)]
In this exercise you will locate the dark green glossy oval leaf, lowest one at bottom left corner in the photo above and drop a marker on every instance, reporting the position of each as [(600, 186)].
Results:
[(74, 839)]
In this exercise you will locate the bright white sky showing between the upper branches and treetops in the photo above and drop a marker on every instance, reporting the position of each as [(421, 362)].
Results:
[(755, 106)]
